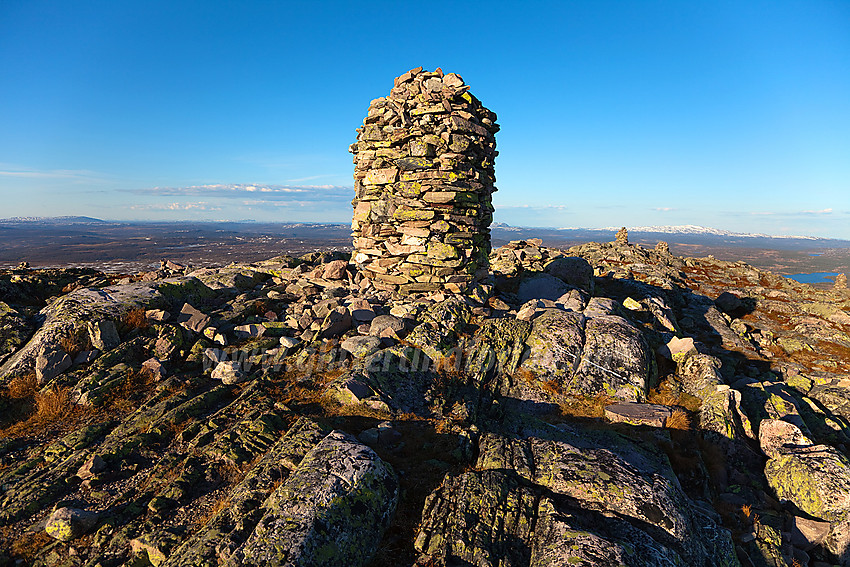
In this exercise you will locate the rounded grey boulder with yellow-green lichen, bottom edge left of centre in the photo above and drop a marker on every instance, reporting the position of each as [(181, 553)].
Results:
[(331, 511)]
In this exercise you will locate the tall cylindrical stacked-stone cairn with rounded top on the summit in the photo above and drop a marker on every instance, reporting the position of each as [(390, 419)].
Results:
[(423, 180)]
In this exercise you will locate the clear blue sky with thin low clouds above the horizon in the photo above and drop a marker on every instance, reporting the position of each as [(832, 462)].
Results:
[(733, 115)]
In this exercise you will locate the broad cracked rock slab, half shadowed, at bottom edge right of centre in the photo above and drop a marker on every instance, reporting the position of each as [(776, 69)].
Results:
[(598, 500)]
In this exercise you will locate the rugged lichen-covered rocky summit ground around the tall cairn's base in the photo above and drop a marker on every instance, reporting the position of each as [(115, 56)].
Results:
[(602, 405)]
